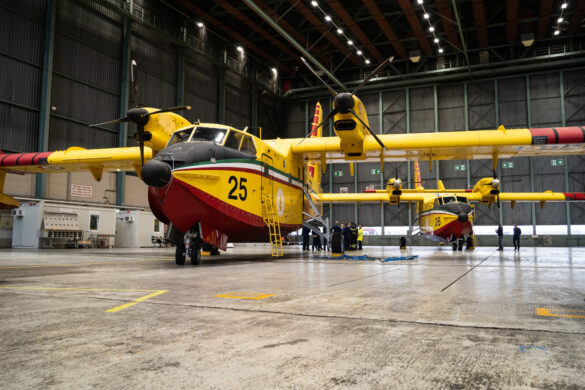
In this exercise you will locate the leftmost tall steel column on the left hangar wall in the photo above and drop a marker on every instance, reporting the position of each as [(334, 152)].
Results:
[(46, 87)]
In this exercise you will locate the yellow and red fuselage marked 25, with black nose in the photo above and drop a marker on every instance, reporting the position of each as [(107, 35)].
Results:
[(222, 178)]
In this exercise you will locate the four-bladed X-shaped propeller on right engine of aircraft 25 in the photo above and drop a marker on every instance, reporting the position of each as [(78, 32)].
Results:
[(343, 102)]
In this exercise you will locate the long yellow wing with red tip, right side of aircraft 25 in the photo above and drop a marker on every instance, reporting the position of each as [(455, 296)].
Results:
[(453, 145)]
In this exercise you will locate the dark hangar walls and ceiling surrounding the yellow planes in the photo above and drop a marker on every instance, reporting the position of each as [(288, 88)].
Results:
[(517, 63)]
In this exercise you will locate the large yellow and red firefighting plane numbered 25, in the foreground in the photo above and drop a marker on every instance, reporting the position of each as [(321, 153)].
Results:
[(212, 182)]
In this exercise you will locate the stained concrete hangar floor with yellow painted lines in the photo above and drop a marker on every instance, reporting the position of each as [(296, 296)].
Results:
[(121, 319)]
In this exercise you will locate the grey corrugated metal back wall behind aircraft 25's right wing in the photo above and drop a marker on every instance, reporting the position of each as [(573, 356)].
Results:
[(486, 109)]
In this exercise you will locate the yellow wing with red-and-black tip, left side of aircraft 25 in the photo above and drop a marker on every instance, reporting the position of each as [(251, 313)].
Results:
[(76, 159)]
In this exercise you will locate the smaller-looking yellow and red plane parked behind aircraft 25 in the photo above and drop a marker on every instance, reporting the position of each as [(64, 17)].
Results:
[(446, 215)]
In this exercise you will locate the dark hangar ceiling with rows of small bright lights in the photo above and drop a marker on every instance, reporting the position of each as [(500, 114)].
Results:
[(467, 34)]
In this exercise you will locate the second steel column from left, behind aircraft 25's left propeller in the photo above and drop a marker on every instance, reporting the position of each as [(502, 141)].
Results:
[(124, 102)]
